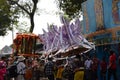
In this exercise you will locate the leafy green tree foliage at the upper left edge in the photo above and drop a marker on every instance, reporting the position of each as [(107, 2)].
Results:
[(6, 17)]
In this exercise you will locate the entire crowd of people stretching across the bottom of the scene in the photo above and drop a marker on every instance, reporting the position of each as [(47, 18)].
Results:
[(81, 67)]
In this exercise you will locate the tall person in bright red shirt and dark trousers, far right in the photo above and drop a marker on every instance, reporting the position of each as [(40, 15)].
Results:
[(112, 66)]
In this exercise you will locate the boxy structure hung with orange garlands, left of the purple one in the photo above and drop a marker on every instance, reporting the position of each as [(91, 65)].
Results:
[(24, 43)]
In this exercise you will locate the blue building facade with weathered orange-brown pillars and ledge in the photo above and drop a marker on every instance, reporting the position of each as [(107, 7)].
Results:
[(101, 25)]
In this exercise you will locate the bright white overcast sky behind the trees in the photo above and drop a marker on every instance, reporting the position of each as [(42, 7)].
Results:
[(47, 16)]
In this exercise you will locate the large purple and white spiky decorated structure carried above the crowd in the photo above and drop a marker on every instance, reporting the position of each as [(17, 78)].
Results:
[(66, 40)]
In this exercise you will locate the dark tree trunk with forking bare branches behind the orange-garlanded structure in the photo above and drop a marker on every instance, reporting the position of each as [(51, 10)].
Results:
[(28, 8)]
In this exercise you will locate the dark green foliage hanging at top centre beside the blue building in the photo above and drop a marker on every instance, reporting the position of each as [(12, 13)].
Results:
[(70, 7)]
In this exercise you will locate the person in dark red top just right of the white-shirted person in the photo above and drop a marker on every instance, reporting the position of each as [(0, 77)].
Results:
[(95, 67)]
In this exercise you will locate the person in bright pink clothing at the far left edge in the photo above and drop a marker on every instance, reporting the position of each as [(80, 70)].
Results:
[(2, 69)]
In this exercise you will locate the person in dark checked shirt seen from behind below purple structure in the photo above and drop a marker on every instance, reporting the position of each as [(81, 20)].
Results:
[(49, 69)]
